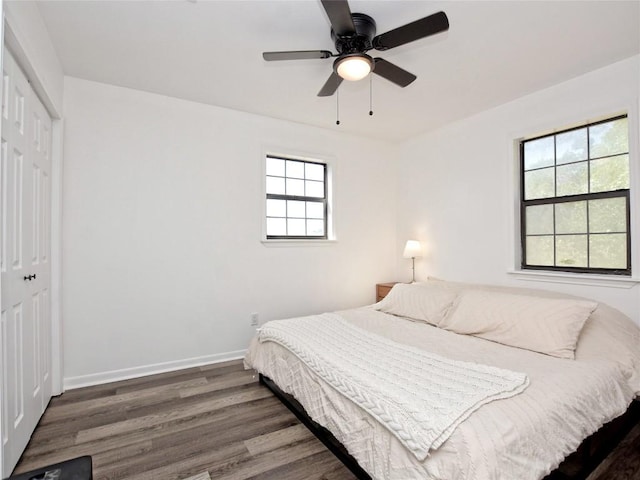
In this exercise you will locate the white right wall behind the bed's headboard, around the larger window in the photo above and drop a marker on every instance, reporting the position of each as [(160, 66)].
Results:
[(457, 186)]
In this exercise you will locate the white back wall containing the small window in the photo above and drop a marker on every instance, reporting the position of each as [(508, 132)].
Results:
[(162, 213)]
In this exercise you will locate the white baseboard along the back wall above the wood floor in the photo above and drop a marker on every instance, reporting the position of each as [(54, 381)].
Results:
[(70, 383)]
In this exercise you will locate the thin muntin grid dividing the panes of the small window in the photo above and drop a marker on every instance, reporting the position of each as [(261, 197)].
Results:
[(320, 200)]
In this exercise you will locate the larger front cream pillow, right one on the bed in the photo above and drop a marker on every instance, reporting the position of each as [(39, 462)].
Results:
[(545, 325)]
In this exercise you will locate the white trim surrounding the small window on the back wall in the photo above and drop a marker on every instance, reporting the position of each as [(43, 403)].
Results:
[(305, 156)]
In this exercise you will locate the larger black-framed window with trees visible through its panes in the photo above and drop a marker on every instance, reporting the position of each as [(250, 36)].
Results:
[(575, 199)]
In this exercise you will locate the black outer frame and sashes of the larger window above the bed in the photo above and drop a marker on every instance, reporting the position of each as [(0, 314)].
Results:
[(555, 200)]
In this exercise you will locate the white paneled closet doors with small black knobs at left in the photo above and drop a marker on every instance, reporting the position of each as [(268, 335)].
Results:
[(25, 260)]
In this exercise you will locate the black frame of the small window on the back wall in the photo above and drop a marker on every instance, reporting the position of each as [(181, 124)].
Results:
[(325, 200)]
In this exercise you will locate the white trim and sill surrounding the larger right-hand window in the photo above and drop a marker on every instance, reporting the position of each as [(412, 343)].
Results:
[(629, 108)]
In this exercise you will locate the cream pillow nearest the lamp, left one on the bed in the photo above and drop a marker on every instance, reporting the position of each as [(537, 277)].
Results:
[(425, 303)]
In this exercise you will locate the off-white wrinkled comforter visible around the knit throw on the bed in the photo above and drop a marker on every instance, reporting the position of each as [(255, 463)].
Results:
[(524, 437)]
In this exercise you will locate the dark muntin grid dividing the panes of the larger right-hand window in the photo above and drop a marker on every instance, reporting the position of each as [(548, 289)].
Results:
[(623, 193)]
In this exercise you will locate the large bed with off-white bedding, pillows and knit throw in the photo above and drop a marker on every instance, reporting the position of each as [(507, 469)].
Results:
[(570, 367)]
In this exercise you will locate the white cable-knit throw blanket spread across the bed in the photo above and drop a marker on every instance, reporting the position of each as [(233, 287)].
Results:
[(420, 397)]
